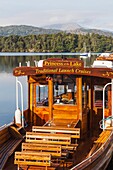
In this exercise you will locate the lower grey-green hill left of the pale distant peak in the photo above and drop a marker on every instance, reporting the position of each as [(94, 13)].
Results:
[(24, 30)]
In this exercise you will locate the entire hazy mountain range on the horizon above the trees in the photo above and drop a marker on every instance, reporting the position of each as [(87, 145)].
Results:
[(23, 30)]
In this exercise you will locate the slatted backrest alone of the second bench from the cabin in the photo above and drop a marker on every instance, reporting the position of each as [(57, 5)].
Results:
[(49, 138)]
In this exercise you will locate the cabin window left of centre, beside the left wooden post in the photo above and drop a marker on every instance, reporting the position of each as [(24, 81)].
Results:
[(42, 95)]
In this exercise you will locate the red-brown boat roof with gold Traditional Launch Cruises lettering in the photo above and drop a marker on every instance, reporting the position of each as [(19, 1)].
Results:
[(73, 66)]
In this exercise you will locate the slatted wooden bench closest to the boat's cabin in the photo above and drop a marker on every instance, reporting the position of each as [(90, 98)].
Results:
[(74, 132)]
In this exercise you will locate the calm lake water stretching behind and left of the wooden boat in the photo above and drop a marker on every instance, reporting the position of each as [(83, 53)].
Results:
[(7, 82)]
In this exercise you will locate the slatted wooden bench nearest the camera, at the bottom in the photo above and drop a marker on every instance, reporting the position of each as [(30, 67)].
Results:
[(33, 159)]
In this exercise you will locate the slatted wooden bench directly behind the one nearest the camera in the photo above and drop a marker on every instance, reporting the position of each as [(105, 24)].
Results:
[(54, 150)]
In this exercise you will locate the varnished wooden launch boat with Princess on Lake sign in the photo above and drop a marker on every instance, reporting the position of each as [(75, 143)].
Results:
[(68, 123)]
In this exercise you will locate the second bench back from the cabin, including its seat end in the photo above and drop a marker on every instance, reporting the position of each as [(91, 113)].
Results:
[(48, 138)]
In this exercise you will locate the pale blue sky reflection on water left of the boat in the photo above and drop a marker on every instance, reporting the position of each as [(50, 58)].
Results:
[(7, 97)]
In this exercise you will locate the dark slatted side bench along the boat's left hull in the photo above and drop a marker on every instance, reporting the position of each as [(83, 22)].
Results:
[(9, 141)]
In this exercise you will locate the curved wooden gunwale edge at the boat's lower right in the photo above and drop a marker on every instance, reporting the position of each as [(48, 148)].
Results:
[(92, 157)]
